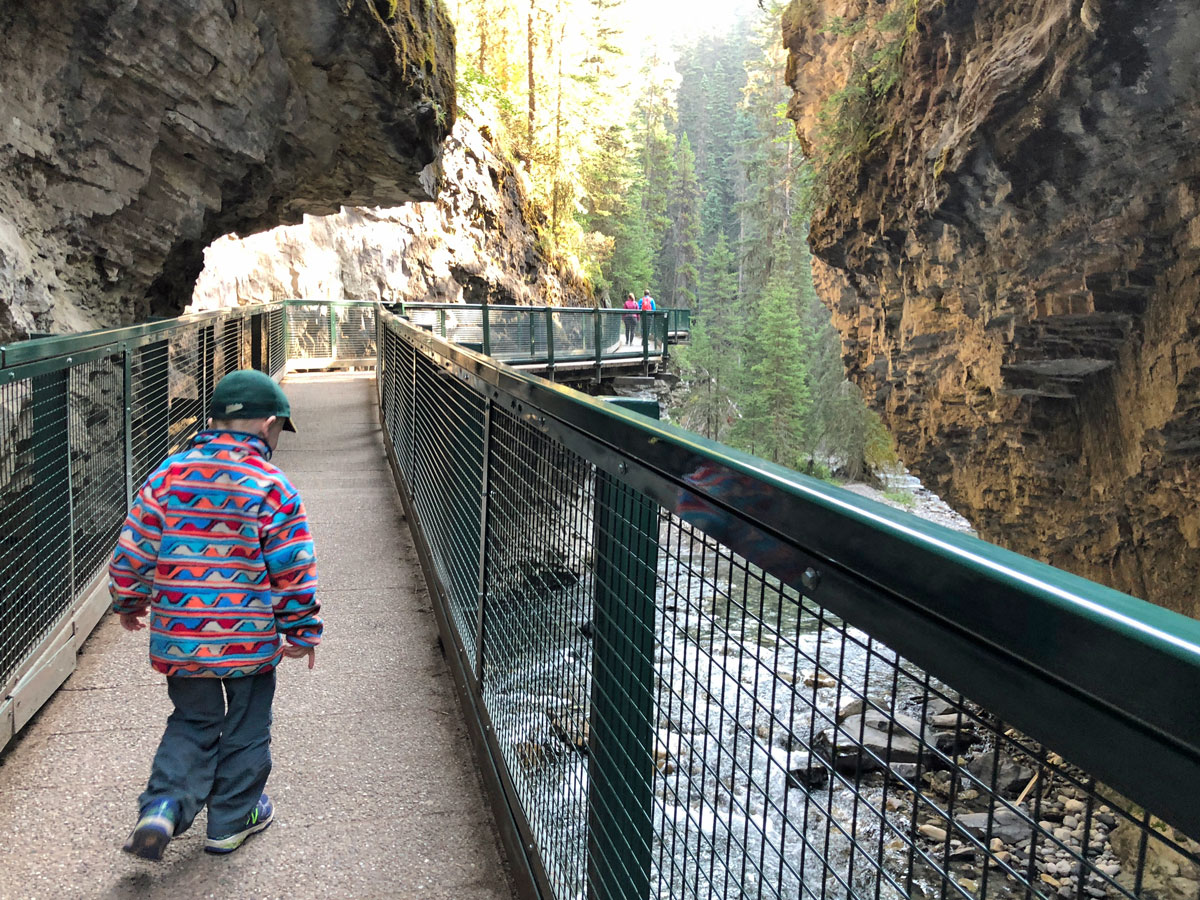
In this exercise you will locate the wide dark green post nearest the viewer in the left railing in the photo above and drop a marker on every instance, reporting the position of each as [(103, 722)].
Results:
[(52, 503)]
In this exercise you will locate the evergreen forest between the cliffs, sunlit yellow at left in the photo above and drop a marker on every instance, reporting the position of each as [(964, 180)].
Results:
[(665, 161)]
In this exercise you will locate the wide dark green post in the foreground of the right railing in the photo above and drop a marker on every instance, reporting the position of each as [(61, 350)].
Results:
[(621, 770)]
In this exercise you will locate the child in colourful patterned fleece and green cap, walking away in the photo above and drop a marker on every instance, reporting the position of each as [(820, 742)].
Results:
[(218, 550)]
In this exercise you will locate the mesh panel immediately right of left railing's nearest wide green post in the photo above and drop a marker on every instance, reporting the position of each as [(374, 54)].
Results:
[(98, 463)]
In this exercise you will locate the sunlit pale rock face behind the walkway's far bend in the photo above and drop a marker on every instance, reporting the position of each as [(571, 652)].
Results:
[(476, 244)]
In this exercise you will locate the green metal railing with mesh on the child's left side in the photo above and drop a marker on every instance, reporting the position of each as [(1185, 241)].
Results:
[(83, 421)]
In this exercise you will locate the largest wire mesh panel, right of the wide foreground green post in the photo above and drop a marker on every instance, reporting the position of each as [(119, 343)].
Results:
[(796, 755)]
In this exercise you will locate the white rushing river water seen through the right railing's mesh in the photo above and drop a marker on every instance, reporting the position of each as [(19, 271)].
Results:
[(747, 675)]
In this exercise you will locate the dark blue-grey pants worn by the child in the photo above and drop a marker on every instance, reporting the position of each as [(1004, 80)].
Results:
[(217, 751)]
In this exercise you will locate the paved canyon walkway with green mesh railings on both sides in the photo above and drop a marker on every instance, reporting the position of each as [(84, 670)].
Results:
[(573, 651)]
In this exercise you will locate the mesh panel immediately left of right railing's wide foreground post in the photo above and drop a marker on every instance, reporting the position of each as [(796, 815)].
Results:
[(537, 627)]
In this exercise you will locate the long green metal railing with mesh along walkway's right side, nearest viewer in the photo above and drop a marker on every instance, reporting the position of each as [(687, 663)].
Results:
[(697, 675)]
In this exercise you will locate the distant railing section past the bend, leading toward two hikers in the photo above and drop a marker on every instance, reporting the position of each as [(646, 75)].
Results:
[(551, 338)]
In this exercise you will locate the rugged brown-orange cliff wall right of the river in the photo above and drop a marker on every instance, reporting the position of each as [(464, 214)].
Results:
[(1015, 267)]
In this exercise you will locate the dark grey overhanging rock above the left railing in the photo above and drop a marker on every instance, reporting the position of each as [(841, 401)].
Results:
[(135, 134)]
